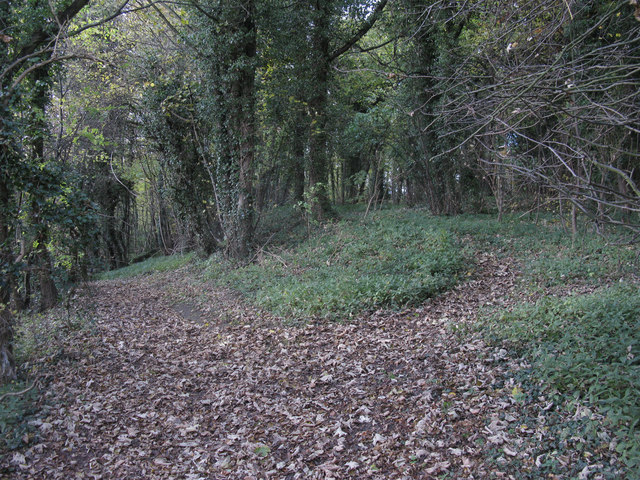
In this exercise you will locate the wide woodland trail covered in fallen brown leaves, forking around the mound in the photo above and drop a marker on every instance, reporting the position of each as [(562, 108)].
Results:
[(160, 390)]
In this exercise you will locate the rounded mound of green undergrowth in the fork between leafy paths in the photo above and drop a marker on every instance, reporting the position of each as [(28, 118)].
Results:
[(392, 258)]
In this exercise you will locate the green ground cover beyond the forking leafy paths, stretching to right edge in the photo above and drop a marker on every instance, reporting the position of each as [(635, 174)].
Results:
[(401, 257)]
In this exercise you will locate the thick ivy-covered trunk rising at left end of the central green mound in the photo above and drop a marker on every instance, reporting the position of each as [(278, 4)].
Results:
[(231, 39)]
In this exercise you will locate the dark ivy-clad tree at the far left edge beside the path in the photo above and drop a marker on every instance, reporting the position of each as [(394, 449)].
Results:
[(26, 49)]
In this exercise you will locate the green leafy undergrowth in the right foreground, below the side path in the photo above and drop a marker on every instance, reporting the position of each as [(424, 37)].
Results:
[(584, 349)]
